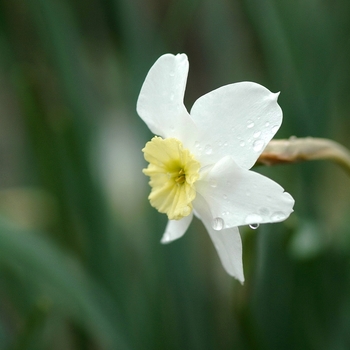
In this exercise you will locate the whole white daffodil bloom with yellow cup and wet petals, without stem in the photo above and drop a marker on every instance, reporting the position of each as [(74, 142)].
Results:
[(199, 164)]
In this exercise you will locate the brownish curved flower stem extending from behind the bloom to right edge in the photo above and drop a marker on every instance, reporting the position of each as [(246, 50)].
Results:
[(301, 149)]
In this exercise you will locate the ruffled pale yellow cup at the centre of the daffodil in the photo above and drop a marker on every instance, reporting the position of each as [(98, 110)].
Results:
[(173, 172)]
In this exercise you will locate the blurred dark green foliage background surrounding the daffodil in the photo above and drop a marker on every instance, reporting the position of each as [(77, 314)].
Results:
[(81, 266)]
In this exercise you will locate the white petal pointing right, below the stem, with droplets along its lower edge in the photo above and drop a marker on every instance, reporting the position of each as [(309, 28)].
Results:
[(239, 196)]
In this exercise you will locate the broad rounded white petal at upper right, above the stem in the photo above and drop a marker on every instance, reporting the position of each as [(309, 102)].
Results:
[(238, 120)]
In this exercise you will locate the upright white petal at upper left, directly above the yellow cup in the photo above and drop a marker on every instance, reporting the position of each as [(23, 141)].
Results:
[(160, 103)]
